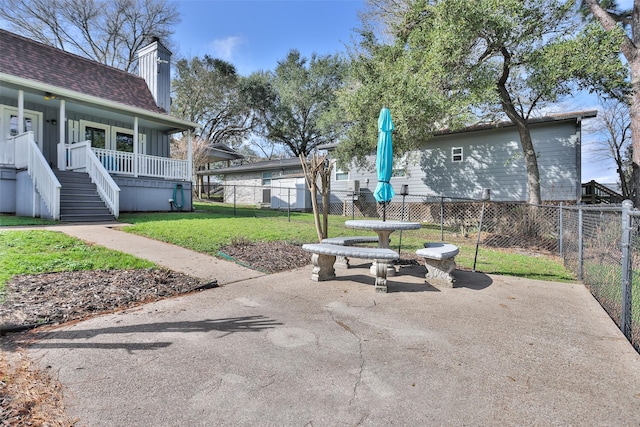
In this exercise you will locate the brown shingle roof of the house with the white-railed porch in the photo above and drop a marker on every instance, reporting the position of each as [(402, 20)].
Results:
[(26, 58)]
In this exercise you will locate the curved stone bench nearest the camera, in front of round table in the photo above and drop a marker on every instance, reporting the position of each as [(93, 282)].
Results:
[(324, 256)]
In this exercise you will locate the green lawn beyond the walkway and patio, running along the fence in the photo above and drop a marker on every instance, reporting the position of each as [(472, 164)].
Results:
[(212, 226)]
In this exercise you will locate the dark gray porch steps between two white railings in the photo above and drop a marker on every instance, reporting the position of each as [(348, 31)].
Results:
[(79, 199)]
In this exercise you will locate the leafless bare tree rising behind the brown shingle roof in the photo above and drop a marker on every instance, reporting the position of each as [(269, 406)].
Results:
[(107, 31)]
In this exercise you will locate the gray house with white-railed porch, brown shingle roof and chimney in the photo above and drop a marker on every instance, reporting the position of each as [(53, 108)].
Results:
[(60, 112)]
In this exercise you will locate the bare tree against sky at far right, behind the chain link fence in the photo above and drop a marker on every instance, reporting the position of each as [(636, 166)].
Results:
[(613, 126)]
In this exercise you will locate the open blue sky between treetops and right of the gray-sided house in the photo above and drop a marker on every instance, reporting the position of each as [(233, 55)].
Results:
[(254, 35)]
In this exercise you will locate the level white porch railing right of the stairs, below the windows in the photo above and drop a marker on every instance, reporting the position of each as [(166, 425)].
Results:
[(124, 163)]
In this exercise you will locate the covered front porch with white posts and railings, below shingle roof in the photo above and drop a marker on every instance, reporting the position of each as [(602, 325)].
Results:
[(131, 167)]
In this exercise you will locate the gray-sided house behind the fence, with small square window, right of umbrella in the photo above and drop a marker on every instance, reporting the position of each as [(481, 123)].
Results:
[(463, 163)]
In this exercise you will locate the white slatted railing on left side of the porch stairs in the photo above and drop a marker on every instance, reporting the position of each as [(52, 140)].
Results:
[(28, 155)]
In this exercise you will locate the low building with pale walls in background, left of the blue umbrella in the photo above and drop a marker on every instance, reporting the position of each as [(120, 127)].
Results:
[(278, 184)]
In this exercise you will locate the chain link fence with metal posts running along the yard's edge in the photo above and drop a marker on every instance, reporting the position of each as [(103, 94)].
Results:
[(600, 244)]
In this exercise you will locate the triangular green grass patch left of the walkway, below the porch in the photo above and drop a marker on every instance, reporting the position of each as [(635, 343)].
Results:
[(41, 251)]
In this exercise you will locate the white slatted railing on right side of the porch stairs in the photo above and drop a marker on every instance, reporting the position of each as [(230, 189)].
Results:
[(81, 156)]
